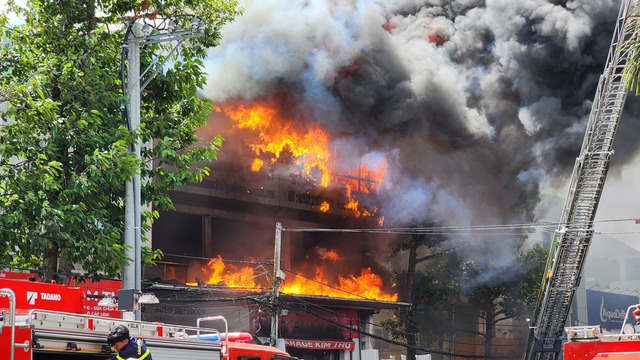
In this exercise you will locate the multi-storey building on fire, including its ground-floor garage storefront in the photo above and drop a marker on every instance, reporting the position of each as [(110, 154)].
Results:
[(219, 244)]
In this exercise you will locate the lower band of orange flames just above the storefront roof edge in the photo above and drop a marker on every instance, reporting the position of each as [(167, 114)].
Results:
[(366, 285)]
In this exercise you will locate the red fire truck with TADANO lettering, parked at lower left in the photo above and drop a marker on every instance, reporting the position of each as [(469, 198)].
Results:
[(41, 321)]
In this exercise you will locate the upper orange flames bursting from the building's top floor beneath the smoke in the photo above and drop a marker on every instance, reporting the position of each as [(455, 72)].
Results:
[(307, 146)]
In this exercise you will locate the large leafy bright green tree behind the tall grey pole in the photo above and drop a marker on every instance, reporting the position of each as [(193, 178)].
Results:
[(65, 145)]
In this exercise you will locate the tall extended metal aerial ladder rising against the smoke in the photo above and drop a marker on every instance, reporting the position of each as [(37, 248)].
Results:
[(573, 236)]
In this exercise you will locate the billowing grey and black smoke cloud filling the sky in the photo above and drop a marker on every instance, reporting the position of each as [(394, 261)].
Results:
[(479, 106)]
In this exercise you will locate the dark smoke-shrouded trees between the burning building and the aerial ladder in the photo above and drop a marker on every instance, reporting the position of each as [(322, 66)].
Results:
[(444, 285)]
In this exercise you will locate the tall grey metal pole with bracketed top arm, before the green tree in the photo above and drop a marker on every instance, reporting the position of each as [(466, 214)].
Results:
[(144, 29)]
